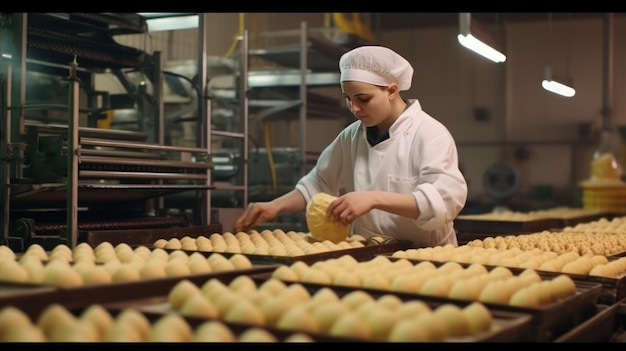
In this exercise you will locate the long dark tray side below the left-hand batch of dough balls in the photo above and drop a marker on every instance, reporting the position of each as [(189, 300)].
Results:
[(76, 297)]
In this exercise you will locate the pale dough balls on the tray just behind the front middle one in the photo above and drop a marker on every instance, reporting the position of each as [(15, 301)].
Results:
[(449, 280)]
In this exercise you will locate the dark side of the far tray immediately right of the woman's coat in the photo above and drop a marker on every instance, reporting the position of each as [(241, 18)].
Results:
[(468, 224)]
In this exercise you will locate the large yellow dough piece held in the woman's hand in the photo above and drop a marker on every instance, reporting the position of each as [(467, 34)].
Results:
[(323, 227)]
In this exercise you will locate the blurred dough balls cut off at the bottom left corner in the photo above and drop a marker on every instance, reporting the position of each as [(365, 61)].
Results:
[(96, 324)]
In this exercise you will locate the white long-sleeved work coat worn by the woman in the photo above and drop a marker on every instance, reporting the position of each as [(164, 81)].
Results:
[(419, 158)]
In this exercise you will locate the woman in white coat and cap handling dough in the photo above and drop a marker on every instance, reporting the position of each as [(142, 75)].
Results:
[(394, 170)]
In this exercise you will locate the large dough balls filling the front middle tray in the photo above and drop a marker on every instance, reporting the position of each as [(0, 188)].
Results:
[(355, 315)]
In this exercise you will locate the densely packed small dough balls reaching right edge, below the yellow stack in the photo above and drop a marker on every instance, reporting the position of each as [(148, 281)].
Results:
[(583, 243)]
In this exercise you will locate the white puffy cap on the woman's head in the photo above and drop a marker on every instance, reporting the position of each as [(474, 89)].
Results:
[(376, 65)]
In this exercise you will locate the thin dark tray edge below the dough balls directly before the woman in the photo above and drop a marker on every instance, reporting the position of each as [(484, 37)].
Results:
[(365, 253)]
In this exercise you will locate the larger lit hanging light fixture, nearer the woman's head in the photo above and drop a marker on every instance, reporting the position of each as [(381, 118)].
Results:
[(476, 37)]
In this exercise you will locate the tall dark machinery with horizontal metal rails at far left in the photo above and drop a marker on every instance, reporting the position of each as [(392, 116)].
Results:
[(62, 174)]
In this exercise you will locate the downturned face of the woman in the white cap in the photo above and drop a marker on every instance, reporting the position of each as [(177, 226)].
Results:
[(369, 103)]
